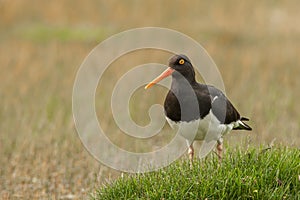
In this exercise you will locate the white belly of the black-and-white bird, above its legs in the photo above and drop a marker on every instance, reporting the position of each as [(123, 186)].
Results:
[(209, 128)]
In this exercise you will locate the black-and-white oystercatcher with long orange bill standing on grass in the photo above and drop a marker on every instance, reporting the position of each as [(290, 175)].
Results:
[(214, 113)]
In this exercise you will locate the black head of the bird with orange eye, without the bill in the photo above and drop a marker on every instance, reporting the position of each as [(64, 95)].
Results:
[(182, 64)]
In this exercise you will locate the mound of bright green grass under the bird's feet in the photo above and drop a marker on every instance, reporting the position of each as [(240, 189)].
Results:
[(252, 174)]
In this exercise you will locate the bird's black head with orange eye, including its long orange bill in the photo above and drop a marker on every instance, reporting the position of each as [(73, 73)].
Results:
[(179, 66)]
